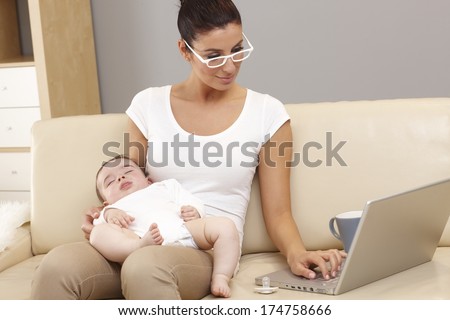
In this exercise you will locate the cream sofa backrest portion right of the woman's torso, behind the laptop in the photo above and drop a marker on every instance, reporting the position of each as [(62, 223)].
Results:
[(347, 153)]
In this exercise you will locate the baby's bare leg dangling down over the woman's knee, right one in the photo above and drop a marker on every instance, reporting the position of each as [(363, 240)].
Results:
[(219, 233)]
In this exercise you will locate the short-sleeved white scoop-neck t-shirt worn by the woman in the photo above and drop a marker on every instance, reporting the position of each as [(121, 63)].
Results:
[(219, 168)]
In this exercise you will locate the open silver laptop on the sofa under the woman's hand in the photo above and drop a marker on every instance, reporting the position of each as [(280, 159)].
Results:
[(395, 233)]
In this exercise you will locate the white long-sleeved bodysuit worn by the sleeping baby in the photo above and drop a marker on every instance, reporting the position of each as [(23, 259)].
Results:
[(158, 203)]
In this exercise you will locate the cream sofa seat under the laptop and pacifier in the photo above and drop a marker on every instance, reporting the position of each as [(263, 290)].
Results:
[(426, 281)]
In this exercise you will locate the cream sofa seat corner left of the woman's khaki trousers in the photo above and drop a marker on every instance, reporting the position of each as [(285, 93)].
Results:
[(16, 281)]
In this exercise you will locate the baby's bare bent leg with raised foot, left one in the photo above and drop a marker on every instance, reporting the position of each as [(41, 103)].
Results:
[(116, 243)]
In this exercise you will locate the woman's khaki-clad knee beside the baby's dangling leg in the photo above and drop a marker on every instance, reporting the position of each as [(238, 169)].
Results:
[(165, 272)]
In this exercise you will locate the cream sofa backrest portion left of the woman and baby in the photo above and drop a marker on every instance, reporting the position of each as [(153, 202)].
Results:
[(66, 154)]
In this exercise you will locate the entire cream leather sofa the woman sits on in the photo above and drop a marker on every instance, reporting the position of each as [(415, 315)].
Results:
[(350, 152)]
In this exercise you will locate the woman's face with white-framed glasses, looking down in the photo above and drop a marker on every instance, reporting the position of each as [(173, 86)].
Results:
[(218, 42)]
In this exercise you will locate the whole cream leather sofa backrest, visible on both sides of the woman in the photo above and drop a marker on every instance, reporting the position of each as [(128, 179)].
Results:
[(345, 154)]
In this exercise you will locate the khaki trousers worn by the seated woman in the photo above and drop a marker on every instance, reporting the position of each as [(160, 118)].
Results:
[(78, 271)]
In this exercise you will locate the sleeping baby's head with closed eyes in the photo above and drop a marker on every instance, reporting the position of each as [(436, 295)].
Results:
[(119, 177)]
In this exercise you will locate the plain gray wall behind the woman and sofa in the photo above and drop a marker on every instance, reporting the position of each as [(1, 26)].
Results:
[(305, 50)]
